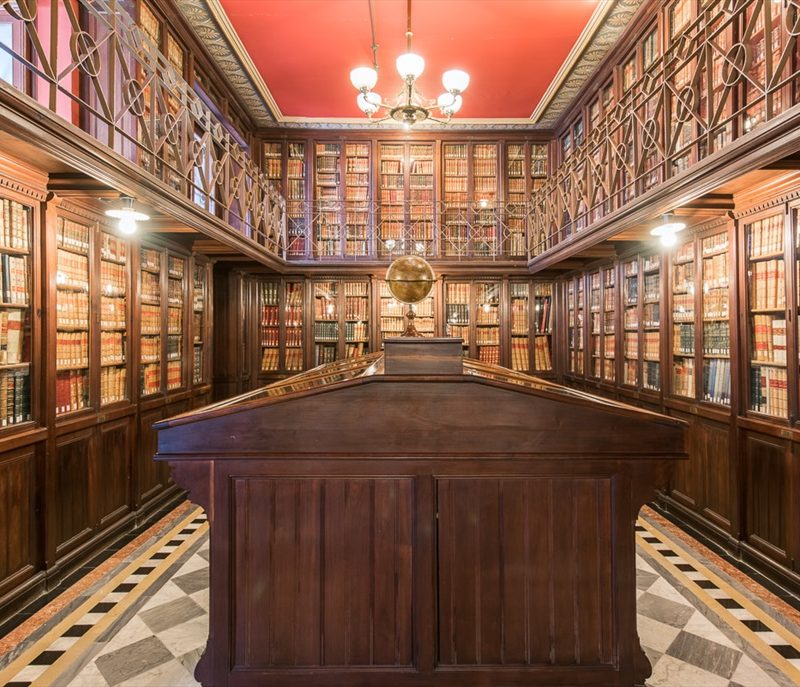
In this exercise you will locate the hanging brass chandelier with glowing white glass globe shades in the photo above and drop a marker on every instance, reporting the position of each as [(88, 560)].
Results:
[(409, 106)]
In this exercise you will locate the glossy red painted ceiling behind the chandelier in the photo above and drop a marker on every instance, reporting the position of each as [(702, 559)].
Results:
[(512, 49)]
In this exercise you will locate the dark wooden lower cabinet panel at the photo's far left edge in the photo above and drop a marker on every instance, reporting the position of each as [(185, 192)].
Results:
[(20, 513)]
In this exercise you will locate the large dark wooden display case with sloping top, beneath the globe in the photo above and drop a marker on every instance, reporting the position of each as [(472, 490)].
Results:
[(416, 518)]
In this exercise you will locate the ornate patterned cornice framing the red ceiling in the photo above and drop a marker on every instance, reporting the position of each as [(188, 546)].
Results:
[(208, 20)]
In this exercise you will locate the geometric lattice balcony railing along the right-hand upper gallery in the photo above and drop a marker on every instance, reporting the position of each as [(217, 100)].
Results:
[(725, 75)]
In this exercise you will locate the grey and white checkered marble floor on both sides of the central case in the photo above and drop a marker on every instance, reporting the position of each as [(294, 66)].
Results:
[(697, 629)]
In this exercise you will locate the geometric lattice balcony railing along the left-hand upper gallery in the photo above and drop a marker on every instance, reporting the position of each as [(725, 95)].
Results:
[(88, 62)]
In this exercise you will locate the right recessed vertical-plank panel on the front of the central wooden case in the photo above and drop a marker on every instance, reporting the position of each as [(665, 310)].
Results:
[(489, 532)]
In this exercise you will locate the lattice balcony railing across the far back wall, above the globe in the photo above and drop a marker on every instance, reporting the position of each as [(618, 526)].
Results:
[(366, 231)]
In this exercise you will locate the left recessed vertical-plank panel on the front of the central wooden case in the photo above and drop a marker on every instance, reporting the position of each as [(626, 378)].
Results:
[(352, 582)]
